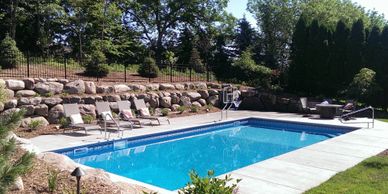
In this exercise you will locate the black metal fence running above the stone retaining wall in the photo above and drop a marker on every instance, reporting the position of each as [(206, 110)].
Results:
[(28, 65)]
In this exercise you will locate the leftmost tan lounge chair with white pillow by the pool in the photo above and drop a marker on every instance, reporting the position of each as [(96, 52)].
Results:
[(72, 111)]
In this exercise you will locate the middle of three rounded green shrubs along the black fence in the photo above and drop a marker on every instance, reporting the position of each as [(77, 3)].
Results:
[(95, 64)]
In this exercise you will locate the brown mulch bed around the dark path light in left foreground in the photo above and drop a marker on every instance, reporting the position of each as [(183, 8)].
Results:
[(36, 180)]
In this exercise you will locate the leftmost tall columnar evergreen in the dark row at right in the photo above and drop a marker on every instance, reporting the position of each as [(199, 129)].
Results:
[(297, 70)]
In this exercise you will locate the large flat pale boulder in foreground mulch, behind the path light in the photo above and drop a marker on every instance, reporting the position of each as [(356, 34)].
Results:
[(62, 162)]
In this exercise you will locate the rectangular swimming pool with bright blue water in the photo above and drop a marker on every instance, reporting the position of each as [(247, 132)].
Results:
[(165, 159)]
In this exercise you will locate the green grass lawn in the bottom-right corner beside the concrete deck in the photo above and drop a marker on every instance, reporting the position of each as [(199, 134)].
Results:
[(370, 176)]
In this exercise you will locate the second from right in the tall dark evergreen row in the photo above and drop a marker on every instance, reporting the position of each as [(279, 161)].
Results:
[(356, 45)]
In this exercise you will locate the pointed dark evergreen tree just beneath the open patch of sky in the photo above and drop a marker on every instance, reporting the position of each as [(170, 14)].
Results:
[(245, 36)]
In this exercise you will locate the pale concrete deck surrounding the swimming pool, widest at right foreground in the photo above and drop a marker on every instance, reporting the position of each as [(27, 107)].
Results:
[(293, 172)]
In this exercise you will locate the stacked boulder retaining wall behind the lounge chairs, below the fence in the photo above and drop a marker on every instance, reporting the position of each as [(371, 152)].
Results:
[(43, 98)]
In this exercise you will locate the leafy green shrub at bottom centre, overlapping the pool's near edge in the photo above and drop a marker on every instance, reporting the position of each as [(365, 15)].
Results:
[(209, 184)]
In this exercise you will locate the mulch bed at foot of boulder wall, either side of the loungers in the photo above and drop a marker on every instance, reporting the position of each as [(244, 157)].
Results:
[(53, 129)]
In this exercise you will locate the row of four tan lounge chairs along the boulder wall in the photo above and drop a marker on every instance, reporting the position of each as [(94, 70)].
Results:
[(125, 119)]
